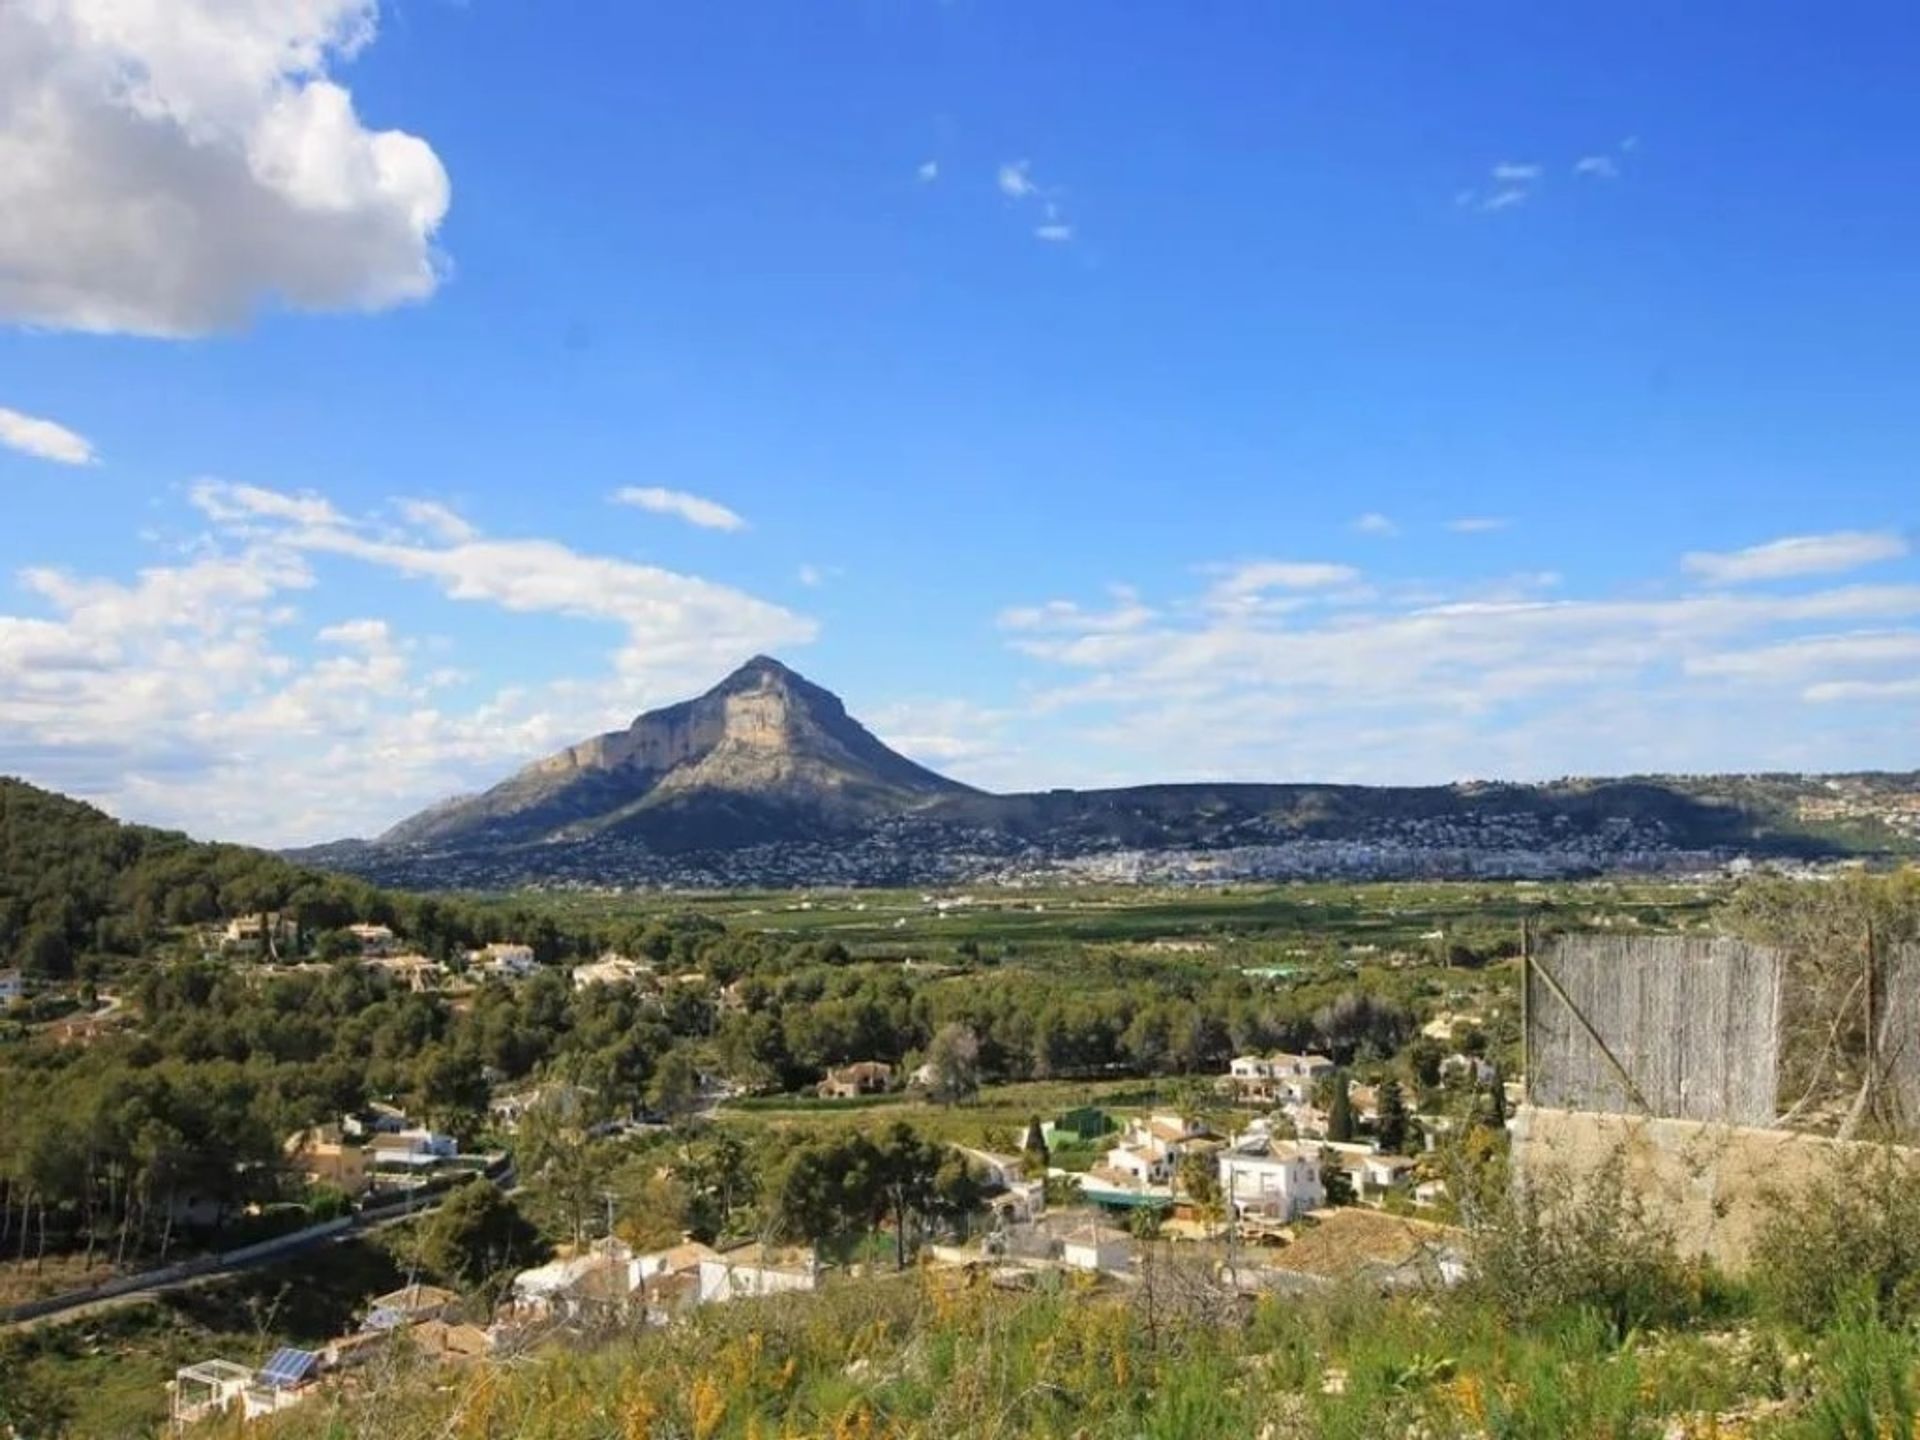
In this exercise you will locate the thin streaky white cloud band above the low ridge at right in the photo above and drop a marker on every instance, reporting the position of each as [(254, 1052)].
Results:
[(1393, 690)]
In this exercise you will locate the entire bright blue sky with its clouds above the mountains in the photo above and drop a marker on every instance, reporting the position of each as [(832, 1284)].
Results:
[(1090, 395)]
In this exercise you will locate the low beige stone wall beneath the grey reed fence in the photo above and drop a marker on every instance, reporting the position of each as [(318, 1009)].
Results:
[(1712, 1184)]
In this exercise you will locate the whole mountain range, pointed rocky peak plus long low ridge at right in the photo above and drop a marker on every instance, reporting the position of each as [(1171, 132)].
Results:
[(767, 779)]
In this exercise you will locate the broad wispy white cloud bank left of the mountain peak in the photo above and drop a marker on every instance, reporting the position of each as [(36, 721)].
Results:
[(187, 696)]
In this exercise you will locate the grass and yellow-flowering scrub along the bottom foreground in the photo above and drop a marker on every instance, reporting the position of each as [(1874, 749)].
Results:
[(913, 1358)]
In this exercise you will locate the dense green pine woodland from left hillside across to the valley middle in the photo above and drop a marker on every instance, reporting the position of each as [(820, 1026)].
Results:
[(191, 1103)]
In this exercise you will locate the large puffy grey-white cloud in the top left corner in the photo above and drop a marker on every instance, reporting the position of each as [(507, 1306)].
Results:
[(170, 166)]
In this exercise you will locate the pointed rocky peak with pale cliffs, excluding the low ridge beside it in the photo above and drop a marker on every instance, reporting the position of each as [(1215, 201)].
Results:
[(761, 752)]
